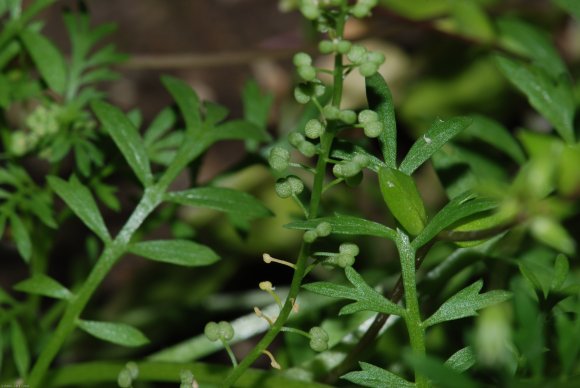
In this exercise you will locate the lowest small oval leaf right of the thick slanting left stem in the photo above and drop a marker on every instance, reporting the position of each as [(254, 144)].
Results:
[(117, 333)]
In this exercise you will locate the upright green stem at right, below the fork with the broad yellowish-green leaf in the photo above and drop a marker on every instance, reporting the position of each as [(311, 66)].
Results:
[(413, 315)]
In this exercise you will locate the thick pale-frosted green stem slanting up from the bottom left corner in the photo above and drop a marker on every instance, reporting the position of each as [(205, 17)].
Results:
[(111, 254)]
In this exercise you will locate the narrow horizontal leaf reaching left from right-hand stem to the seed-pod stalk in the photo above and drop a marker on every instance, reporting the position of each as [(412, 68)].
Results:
[(347, 225)]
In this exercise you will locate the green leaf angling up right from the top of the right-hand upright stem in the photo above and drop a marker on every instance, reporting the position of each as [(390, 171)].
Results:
[(460, 207)]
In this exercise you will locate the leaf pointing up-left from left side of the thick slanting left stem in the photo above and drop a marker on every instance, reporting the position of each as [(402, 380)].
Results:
[(81, 202)]
